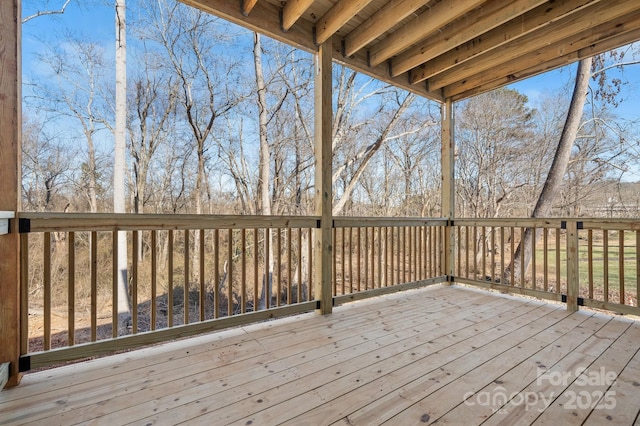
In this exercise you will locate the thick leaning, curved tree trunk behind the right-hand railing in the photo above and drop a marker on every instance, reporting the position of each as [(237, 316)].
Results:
[(558, 166)]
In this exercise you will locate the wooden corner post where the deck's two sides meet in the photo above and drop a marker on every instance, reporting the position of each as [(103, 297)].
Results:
[(448, 187)]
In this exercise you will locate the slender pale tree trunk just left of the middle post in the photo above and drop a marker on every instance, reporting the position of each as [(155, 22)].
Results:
[(264, 169)]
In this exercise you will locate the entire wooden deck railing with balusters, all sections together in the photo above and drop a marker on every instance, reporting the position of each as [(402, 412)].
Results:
[(189, 274)]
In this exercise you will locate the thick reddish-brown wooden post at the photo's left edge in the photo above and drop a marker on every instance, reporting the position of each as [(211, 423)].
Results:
[(10, 174)]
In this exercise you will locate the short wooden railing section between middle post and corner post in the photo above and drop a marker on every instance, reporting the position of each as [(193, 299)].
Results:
[(383, 255)]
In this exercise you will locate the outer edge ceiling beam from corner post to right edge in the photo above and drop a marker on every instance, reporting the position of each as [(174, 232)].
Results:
[(591, 42)]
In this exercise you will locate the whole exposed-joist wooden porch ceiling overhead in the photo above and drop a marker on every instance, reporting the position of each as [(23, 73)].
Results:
[(442, 48)]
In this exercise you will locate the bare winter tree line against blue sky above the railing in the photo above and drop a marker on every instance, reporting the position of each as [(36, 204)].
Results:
[(220, 120)]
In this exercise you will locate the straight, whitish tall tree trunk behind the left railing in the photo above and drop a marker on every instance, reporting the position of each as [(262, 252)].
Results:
[(119, 164)]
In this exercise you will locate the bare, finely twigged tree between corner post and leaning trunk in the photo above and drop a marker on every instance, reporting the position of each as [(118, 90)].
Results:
[(494, 133)]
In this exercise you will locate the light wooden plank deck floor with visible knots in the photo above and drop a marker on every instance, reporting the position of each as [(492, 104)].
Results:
[(442, 354)]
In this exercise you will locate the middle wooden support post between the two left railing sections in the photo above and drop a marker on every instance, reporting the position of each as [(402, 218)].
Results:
[(323, 190)]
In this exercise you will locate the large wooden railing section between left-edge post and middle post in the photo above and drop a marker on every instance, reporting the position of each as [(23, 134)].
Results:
[(186, 274)]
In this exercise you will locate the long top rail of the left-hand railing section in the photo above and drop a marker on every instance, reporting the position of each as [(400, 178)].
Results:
[(48, 222)]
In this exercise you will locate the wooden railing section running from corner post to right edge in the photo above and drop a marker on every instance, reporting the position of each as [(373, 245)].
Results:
[(589, 262)]
